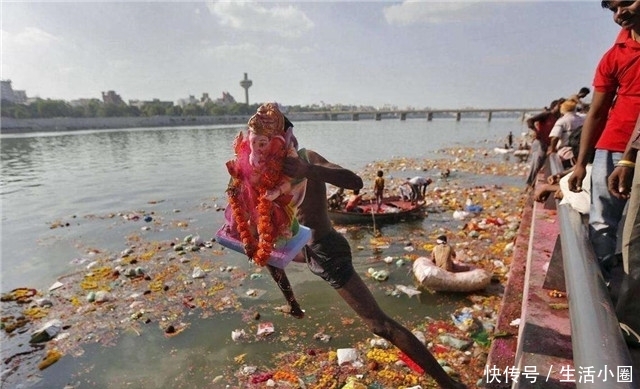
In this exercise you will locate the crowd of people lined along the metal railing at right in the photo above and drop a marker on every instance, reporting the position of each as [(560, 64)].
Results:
[(600, 164)]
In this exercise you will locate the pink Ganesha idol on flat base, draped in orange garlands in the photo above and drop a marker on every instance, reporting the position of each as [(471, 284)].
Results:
[(261, 218)]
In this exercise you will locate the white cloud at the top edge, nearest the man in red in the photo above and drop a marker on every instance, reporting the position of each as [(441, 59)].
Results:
[(414, 12)]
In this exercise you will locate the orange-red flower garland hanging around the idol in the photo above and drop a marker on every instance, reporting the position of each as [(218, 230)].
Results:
[(258, 248)]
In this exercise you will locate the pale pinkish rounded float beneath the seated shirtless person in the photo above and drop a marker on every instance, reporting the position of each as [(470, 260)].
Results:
[(430, 276)]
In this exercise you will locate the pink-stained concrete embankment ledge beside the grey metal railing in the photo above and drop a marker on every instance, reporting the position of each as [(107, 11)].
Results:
[(534, 342)]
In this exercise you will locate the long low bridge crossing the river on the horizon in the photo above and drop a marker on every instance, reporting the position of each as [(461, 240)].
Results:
[(429, 114)]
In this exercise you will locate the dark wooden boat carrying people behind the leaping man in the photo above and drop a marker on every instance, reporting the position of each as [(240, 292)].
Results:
[(393, 210)]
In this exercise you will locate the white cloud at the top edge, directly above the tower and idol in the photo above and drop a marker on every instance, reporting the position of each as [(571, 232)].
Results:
[(286, 21)]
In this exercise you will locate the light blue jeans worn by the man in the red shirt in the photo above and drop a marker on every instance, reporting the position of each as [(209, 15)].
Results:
[(606, 210)]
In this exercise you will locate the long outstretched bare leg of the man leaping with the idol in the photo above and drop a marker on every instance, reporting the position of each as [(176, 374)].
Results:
[(355, 293)]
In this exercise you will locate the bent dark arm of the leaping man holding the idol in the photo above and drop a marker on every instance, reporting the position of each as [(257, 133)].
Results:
[(319, 169)]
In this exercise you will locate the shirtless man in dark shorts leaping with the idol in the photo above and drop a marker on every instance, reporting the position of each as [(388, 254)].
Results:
[(329, 256)]
